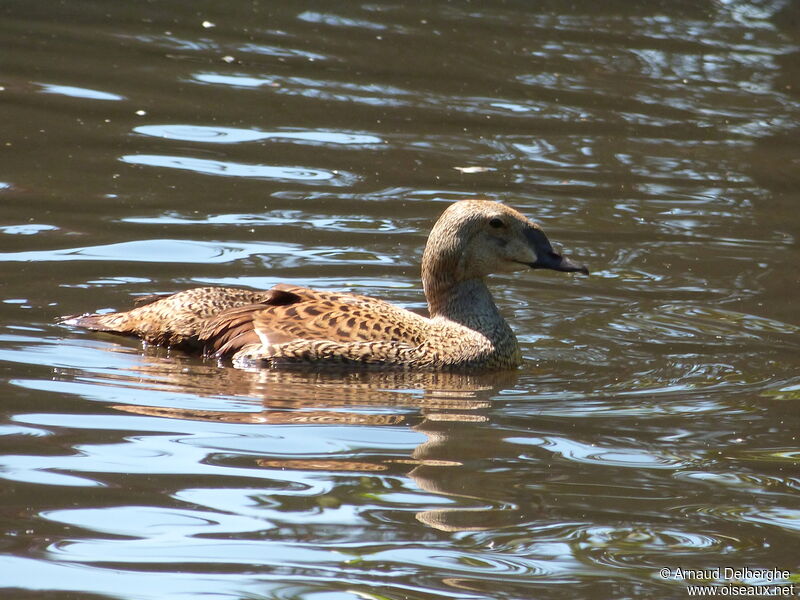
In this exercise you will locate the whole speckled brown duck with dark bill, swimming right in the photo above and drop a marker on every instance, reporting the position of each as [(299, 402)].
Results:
[(290, 325)]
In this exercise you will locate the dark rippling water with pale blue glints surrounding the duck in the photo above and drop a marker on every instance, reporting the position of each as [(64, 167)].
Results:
[(151, 148)]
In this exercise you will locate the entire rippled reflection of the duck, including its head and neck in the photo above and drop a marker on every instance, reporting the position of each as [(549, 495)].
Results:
[(446, 412)]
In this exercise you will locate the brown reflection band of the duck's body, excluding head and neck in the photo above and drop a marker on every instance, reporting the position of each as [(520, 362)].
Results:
[(307, 390)]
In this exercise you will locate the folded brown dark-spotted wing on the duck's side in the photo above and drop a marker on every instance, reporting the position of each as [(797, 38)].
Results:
[(291, 313)]
